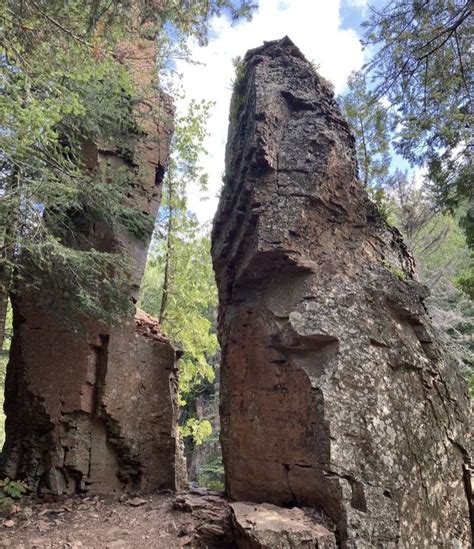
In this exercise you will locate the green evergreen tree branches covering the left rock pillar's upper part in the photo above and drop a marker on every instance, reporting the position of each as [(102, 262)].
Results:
[(65, 83)]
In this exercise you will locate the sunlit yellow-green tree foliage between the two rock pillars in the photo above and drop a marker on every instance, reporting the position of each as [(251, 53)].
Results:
[(190, 308)]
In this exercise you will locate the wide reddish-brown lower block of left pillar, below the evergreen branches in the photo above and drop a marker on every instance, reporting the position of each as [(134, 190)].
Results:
[(93, 414)]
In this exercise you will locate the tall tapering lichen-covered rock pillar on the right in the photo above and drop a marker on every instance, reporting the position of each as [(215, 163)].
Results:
[(335, 393)]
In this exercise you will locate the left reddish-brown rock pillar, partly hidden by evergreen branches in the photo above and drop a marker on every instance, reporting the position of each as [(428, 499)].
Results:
[(95, 409)]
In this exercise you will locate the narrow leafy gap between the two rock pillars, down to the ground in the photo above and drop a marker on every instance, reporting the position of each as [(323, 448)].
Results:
[(179, 289)]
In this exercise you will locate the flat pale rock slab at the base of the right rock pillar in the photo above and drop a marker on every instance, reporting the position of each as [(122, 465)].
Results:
[(266, 526)]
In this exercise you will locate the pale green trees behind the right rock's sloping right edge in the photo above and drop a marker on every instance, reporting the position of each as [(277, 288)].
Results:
[(442, 256)]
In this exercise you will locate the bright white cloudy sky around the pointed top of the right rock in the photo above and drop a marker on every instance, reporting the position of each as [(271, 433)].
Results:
[(326, 31)]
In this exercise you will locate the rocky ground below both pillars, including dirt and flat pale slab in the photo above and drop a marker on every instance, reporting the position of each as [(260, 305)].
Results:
[(198, 518)]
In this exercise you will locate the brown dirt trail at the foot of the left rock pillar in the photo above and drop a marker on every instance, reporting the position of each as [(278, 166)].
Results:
[(97, 522)]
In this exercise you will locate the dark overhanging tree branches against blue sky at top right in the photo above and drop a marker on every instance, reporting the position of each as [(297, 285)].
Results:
[(423, 55)]
